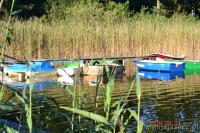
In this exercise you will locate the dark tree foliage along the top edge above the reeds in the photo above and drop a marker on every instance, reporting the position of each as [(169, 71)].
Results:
[(59, 8)]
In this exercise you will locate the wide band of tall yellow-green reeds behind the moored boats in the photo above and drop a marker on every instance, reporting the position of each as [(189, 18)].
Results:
[(135, 36)]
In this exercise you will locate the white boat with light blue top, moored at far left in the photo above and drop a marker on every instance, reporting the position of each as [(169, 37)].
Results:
[(23, 71)]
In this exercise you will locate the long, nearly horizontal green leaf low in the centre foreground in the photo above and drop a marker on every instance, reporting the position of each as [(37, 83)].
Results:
[(87, 114)]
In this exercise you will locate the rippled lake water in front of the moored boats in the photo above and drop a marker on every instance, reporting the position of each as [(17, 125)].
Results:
[(166, 106)]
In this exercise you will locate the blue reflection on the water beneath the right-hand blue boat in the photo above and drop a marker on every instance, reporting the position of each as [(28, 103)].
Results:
[(158, 75)]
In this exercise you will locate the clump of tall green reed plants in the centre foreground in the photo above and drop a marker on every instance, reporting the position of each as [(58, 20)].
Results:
[(111, 120)]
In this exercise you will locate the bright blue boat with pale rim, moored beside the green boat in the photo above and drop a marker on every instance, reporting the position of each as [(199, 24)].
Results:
[(159, 65)]
